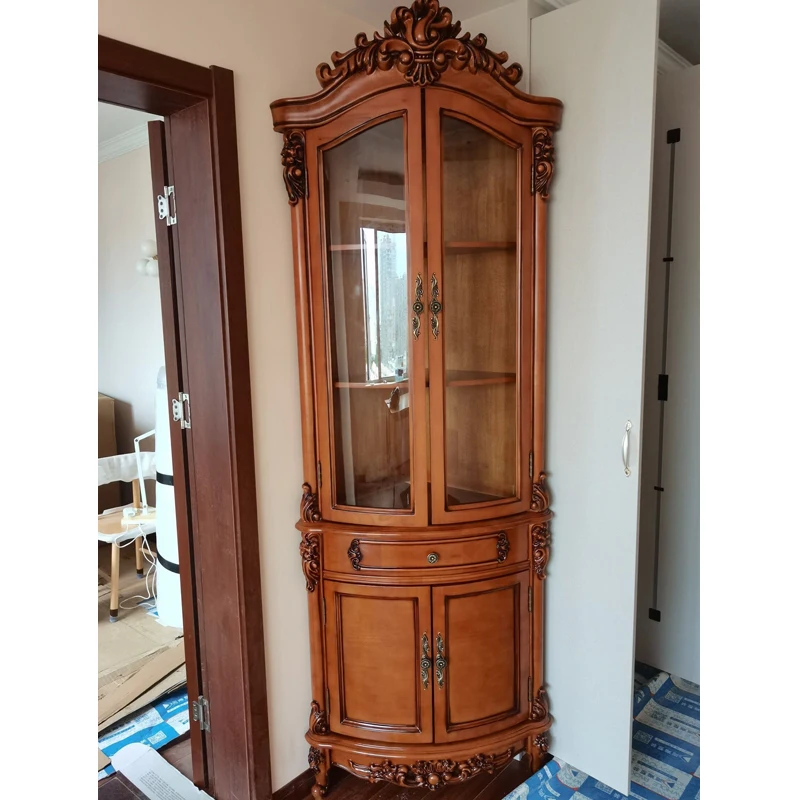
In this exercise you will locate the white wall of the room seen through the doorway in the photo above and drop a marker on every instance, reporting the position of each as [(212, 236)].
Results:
[(130, 336)]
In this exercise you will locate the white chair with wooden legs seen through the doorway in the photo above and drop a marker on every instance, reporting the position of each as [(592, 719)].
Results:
[(114, 526)]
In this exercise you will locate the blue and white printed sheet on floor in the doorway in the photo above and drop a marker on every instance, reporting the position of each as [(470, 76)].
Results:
[(156, 726)]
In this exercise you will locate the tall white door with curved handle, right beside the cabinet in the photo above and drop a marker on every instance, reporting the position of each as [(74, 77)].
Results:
[(599, 58)]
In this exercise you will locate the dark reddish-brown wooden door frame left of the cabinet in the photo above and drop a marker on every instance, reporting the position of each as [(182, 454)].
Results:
[(206, 350)]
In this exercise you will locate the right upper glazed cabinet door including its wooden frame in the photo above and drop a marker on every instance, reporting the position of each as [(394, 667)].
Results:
[(479, 338)]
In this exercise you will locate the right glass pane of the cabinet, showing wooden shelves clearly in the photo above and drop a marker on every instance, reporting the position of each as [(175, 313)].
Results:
[(479, 206)]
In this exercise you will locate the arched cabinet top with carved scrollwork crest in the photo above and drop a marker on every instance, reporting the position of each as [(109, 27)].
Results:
[(421, 46)]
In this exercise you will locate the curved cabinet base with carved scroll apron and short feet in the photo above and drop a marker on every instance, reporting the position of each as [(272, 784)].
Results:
[(425, 766)]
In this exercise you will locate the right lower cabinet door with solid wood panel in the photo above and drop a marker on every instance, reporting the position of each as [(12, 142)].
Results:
[(481, 642)]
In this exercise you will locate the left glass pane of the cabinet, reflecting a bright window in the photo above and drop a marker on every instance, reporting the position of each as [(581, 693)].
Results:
[(365, 221)]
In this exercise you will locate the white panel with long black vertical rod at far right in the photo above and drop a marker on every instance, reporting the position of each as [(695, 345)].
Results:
[(674, 643)]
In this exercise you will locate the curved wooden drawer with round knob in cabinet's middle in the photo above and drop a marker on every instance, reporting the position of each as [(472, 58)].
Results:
[(386, 553)]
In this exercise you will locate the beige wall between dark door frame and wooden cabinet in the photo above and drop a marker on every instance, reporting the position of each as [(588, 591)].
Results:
[(273, 49)]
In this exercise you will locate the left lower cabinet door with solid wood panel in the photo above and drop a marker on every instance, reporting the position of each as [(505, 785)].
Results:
[(374, 643)]
